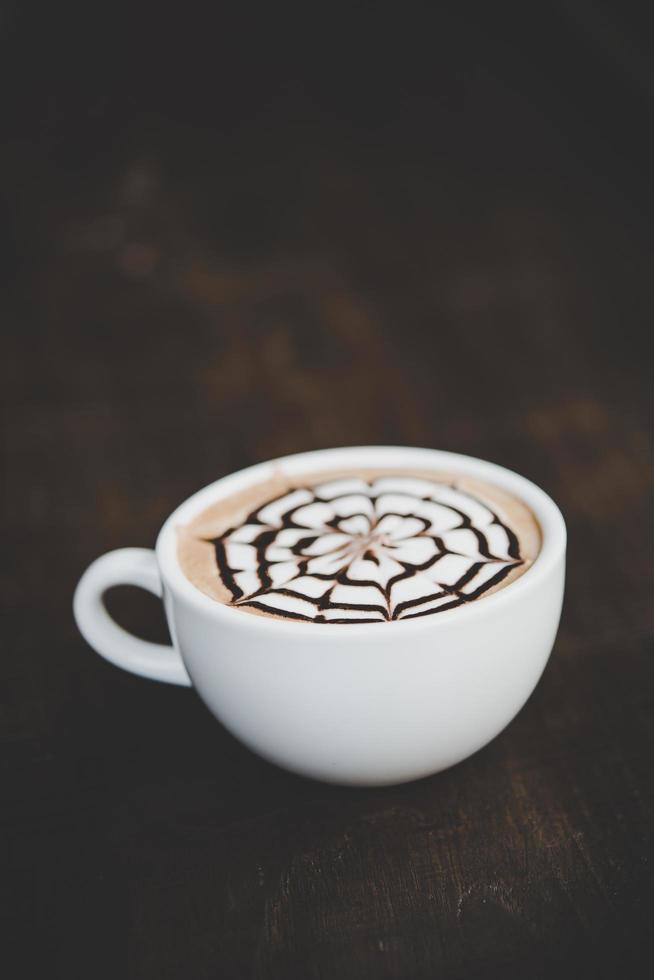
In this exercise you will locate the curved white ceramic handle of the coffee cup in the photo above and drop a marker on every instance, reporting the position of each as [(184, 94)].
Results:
[(127, 566)]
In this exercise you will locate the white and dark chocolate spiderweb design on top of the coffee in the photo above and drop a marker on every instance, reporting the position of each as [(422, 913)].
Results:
[(353, 551)]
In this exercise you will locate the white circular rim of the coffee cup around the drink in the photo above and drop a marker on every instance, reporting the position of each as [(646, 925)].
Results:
[(548, 515)]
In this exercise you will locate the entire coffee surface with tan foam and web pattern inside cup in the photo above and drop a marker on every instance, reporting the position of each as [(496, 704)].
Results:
[(362, 546)]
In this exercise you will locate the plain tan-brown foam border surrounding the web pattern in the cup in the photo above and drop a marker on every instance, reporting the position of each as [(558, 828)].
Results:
[(197, 556)]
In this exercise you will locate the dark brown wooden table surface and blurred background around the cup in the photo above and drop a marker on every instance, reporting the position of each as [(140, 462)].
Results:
[(258, 230)]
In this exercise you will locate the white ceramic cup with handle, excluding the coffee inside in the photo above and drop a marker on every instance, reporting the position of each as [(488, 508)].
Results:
[(367, 704)]
